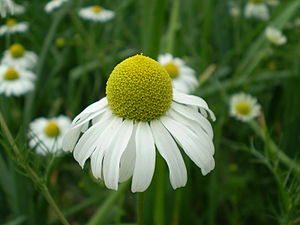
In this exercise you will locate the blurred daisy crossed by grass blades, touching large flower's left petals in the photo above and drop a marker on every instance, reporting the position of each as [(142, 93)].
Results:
[(46, 134)]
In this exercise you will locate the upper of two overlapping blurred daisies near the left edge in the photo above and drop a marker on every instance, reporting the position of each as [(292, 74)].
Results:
[(17, 55)]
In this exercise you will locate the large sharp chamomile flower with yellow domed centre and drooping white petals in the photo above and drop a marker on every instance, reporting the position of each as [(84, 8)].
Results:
[(139, 114)]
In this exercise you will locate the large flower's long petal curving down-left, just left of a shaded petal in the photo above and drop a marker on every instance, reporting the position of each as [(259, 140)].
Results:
[(113, 155)]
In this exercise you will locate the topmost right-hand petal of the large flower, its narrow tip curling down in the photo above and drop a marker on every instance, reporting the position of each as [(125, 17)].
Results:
[(193, 100)]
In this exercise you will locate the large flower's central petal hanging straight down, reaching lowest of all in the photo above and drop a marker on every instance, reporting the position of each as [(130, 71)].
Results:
[(145, 158)]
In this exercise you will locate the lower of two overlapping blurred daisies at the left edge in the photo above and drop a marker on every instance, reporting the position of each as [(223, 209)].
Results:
[(15, 81)]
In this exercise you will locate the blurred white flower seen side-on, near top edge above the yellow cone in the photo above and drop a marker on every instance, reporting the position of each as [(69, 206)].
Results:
[(96, 13)]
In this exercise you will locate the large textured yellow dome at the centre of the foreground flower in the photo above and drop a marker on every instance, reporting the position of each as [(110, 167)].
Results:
[(139, 88)]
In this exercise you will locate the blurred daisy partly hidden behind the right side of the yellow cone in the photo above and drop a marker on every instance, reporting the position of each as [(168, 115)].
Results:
[(183, 77)]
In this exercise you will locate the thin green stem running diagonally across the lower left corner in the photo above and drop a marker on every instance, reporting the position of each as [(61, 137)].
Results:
[(33, 176)]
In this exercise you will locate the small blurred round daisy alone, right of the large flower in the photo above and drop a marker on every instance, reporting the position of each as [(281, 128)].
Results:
[(244, 107)]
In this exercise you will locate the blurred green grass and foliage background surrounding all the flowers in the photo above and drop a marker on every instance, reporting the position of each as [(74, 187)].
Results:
[(257, 175)]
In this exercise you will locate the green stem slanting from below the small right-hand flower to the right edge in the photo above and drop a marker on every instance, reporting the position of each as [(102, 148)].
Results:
[(273, 147)]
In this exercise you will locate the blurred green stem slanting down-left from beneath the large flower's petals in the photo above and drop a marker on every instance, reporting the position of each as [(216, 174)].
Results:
[(107, 205)]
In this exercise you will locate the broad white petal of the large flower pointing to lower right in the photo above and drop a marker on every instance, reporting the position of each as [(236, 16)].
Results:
[(194, 146)]
